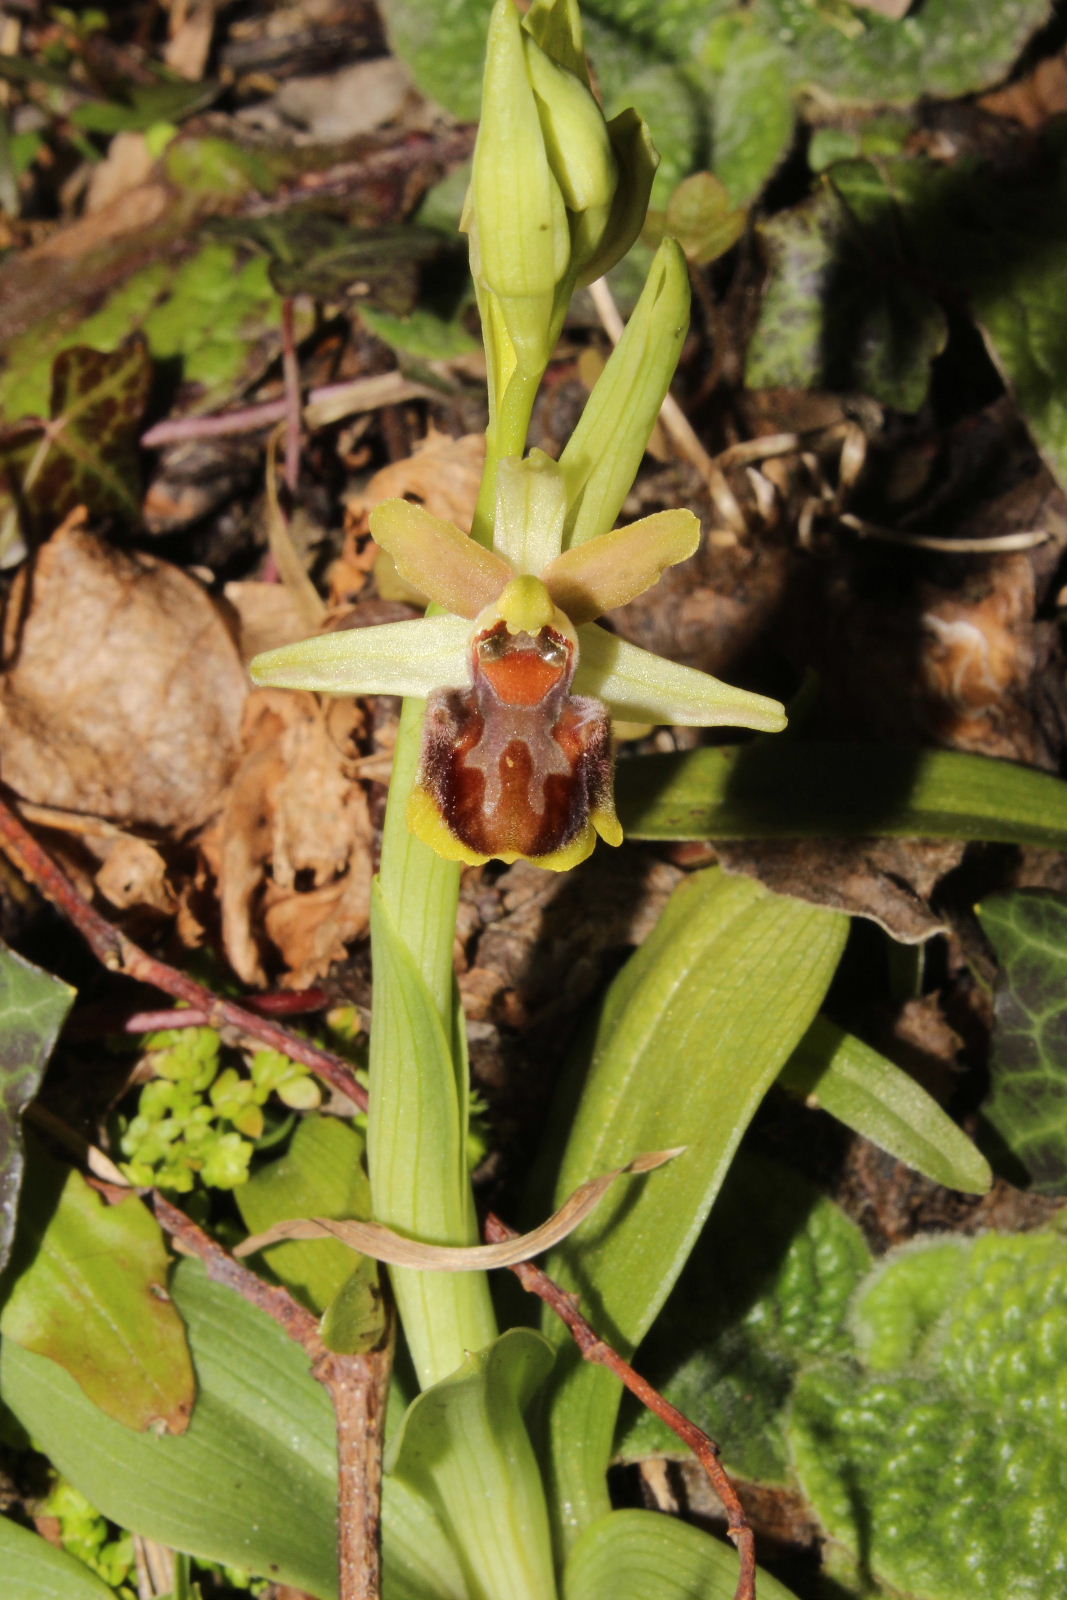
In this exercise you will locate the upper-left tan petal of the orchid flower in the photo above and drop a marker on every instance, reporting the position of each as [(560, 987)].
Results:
[(444, 564)]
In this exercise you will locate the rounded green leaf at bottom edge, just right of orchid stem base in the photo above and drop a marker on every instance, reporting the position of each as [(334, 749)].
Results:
[(642, 1556)]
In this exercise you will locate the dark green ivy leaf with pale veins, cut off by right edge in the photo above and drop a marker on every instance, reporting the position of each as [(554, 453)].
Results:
[(1028, 1103)]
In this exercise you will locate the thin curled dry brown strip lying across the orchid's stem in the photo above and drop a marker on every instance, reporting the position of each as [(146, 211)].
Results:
[(375, 1239)]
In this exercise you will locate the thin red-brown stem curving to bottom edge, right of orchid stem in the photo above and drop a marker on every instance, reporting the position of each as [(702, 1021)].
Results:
[(693, 1438)]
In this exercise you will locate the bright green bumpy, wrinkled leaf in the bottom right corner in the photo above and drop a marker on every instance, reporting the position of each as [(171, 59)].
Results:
[(937, 1455)]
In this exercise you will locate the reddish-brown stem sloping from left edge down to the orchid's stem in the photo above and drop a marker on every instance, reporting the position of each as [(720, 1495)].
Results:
[(122, 956)]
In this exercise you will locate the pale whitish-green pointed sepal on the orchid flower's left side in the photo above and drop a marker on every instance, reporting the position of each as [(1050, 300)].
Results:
[(396, 658)]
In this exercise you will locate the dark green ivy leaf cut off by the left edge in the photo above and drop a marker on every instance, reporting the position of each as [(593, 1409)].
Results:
[(33, 1010)]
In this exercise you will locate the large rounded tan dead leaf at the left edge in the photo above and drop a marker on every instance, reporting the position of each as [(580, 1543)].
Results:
[(124, 689)]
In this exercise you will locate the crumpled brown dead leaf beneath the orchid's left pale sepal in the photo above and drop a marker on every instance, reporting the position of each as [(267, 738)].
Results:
[(292, 852)]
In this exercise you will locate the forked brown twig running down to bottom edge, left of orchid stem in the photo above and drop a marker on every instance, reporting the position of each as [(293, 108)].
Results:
[(358, 1386)]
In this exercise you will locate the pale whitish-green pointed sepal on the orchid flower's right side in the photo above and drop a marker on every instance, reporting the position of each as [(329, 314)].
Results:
[(641, 687)]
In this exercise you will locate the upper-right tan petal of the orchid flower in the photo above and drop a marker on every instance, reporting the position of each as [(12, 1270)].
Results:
[(617, 567)]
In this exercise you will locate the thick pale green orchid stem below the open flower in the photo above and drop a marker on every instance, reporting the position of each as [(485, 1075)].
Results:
[(418, 1119)]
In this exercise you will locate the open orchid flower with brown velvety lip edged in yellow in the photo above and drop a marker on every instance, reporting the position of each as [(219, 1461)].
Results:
[(521, 684)]
